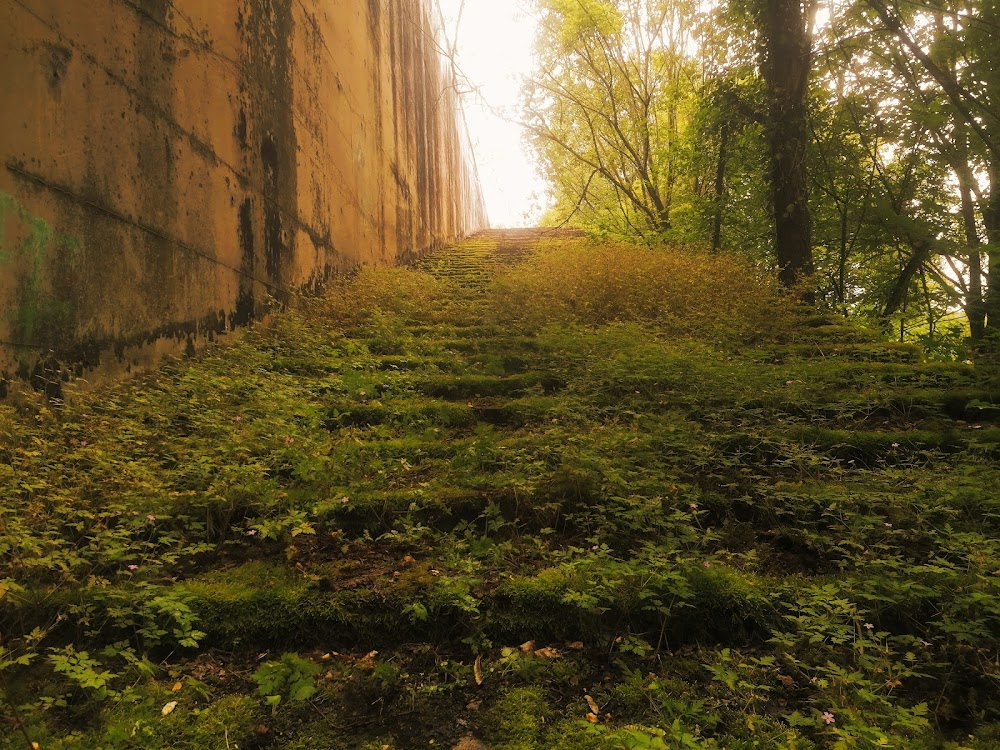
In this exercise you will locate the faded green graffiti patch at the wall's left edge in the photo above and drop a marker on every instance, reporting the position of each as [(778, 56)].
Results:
[(37, 240)]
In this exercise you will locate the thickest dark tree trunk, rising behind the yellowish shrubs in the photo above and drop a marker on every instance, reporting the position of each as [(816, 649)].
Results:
[(786, 31)]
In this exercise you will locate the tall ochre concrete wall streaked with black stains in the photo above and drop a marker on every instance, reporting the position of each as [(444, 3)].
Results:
[(168, 166)]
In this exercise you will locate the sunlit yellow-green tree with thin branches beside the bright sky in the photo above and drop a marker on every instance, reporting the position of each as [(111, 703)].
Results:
[(608, 108)]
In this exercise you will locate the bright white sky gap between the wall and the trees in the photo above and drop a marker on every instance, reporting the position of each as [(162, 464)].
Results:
[(494, 51)]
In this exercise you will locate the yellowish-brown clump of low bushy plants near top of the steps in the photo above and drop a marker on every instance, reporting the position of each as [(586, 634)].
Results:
[(683, 292)]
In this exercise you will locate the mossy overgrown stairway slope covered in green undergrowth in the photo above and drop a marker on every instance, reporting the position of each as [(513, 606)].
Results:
[(532, 491)]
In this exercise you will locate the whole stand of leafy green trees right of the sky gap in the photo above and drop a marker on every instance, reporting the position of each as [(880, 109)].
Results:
[(852, 145)]
